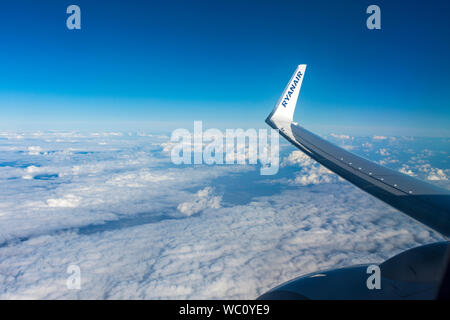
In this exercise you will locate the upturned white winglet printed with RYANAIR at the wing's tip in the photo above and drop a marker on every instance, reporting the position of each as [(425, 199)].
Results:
[(285, 107)]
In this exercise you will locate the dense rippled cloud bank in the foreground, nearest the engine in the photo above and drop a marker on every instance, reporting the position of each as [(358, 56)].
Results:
[(227, 253)]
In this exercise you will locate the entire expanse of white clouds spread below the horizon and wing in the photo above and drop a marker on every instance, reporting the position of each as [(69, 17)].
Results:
[(140, 227)]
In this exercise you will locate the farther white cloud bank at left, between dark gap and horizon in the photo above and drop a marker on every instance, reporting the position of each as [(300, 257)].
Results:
[(82, 183)]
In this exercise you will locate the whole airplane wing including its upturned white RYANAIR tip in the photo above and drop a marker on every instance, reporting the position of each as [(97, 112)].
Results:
[(422, 201)]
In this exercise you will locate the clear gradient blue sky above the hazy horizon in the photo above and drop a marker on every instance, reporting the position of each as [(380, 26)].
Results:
[(148, 65)]
